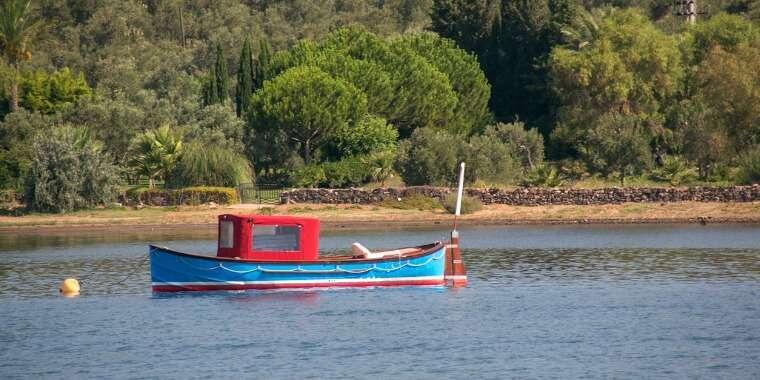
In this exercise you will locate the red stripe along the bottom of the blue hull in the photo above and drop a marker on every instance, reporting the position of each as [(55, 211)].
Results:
[(185, 288)]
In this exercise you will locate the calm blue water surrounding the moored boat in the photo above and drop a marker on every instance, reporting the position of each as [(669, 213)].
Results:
[(543, 302)]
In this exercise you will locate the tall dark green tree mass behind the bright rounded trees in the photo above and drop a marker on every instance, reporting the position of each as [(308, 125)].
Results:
[(512, 40)]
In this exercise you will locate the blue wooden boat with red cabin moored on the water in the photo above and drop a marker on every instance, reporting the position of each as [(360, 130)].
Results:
[(270, 252)]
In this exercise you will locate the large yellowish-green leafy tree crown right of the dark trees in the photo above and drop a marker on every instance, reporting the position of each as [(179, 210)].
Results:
[(631, 69)]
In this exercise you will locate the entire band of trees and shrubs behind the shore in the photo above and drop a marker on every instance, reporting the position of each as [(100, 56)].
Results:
[(344, 93)]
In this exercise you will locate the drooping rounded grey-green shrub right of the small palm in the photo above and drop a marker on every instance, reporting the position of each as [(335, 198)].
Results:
[(210, 165)]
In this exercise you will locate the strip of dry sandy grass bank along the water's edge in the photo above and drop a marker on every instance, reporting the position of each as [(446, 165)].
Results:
[(355, 216)]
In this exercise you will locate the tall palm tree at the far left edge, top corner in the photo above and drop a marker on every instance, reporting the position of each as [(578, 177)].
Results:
[(16, 32)]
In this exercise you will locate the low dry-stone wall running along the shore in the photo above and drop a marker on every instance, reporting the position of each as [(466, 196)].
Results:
[(532, 196)]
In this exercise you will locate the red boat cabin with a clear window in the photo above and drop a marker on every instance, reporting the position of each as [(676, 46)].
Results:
[(268, 238)]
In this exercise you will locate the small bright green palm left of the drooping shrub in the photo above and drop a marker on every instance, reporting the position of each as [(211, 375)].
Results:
[(155, 153)]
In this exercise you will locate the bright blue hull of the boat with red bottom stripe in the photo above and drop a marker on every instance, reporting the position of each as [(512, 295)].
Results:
[(176, 271)]
